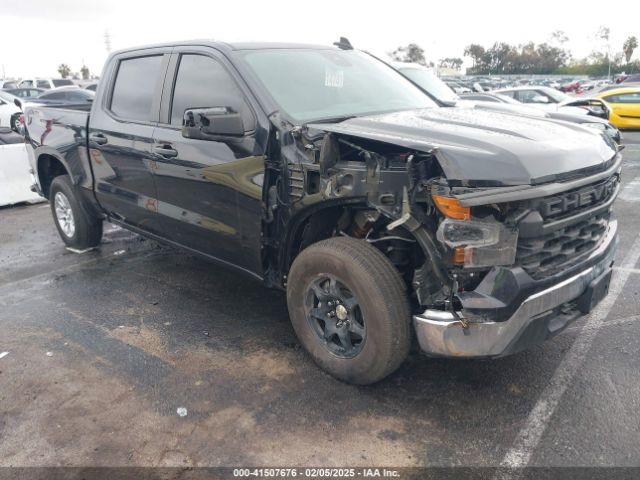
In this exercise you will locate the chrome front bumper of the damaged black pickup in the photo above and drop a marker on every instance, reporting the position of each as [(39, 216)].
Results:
[(440, 333)]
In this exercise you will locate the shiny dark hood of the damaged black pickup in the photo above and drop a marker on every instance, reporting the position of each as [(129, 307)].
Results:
[(486, 148)]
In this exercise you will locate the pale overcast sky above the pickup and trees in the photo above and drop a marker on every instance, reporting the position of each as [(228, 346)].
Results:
[(38, 35)]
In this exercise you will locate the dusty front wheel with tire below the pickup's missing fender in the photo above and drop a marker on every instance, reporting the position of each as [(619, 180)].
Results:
[(379, 326)]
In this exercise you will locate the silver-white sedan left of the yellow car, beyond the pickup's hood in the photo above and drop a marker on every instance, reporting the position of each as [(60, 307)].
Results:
[(553, 100)]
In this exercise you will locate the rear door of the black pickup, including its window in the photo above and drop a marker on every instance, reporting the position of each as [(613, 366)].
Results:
[(121, 128)]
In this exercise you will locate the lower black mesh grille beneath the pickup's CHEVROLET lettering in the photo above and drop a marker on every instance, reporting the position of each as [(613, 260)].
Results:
[(549, 254)]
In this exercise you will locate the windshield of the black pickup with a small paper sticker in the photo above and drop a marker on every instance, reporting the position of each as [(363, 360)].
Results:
[(323, 84)]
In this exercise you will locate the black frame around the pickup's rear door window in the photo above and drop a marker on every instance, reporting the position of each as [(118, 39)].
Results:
[(155, 101)]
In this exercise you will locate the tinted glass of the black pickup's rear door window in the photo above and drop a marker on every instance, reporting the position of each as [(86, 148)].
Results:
[(135, 87)]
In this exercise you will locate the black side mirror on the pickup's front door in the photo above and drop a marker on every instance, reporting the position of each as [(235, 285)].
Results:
[(209, 123)]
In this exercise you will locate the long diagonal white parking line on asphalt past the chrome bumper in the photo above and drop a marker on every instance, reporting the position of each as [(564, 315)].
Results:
[(529, 436)]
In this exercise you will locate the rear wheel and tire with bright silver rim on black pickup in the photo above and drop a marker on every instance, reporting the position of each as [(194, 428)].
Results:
[(78, 230)]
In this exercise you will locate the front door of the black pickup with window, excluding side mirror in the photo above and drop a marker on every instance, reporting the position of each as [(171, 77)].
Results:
[(209, 191)]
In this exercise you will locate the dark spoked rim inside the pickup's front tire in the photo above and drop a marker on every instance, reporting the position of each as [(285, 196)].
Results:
[(335, 316)]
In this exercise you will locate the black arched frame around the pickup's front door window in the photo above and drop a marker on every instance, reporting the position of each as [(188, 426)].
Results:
[(164, 120)]
